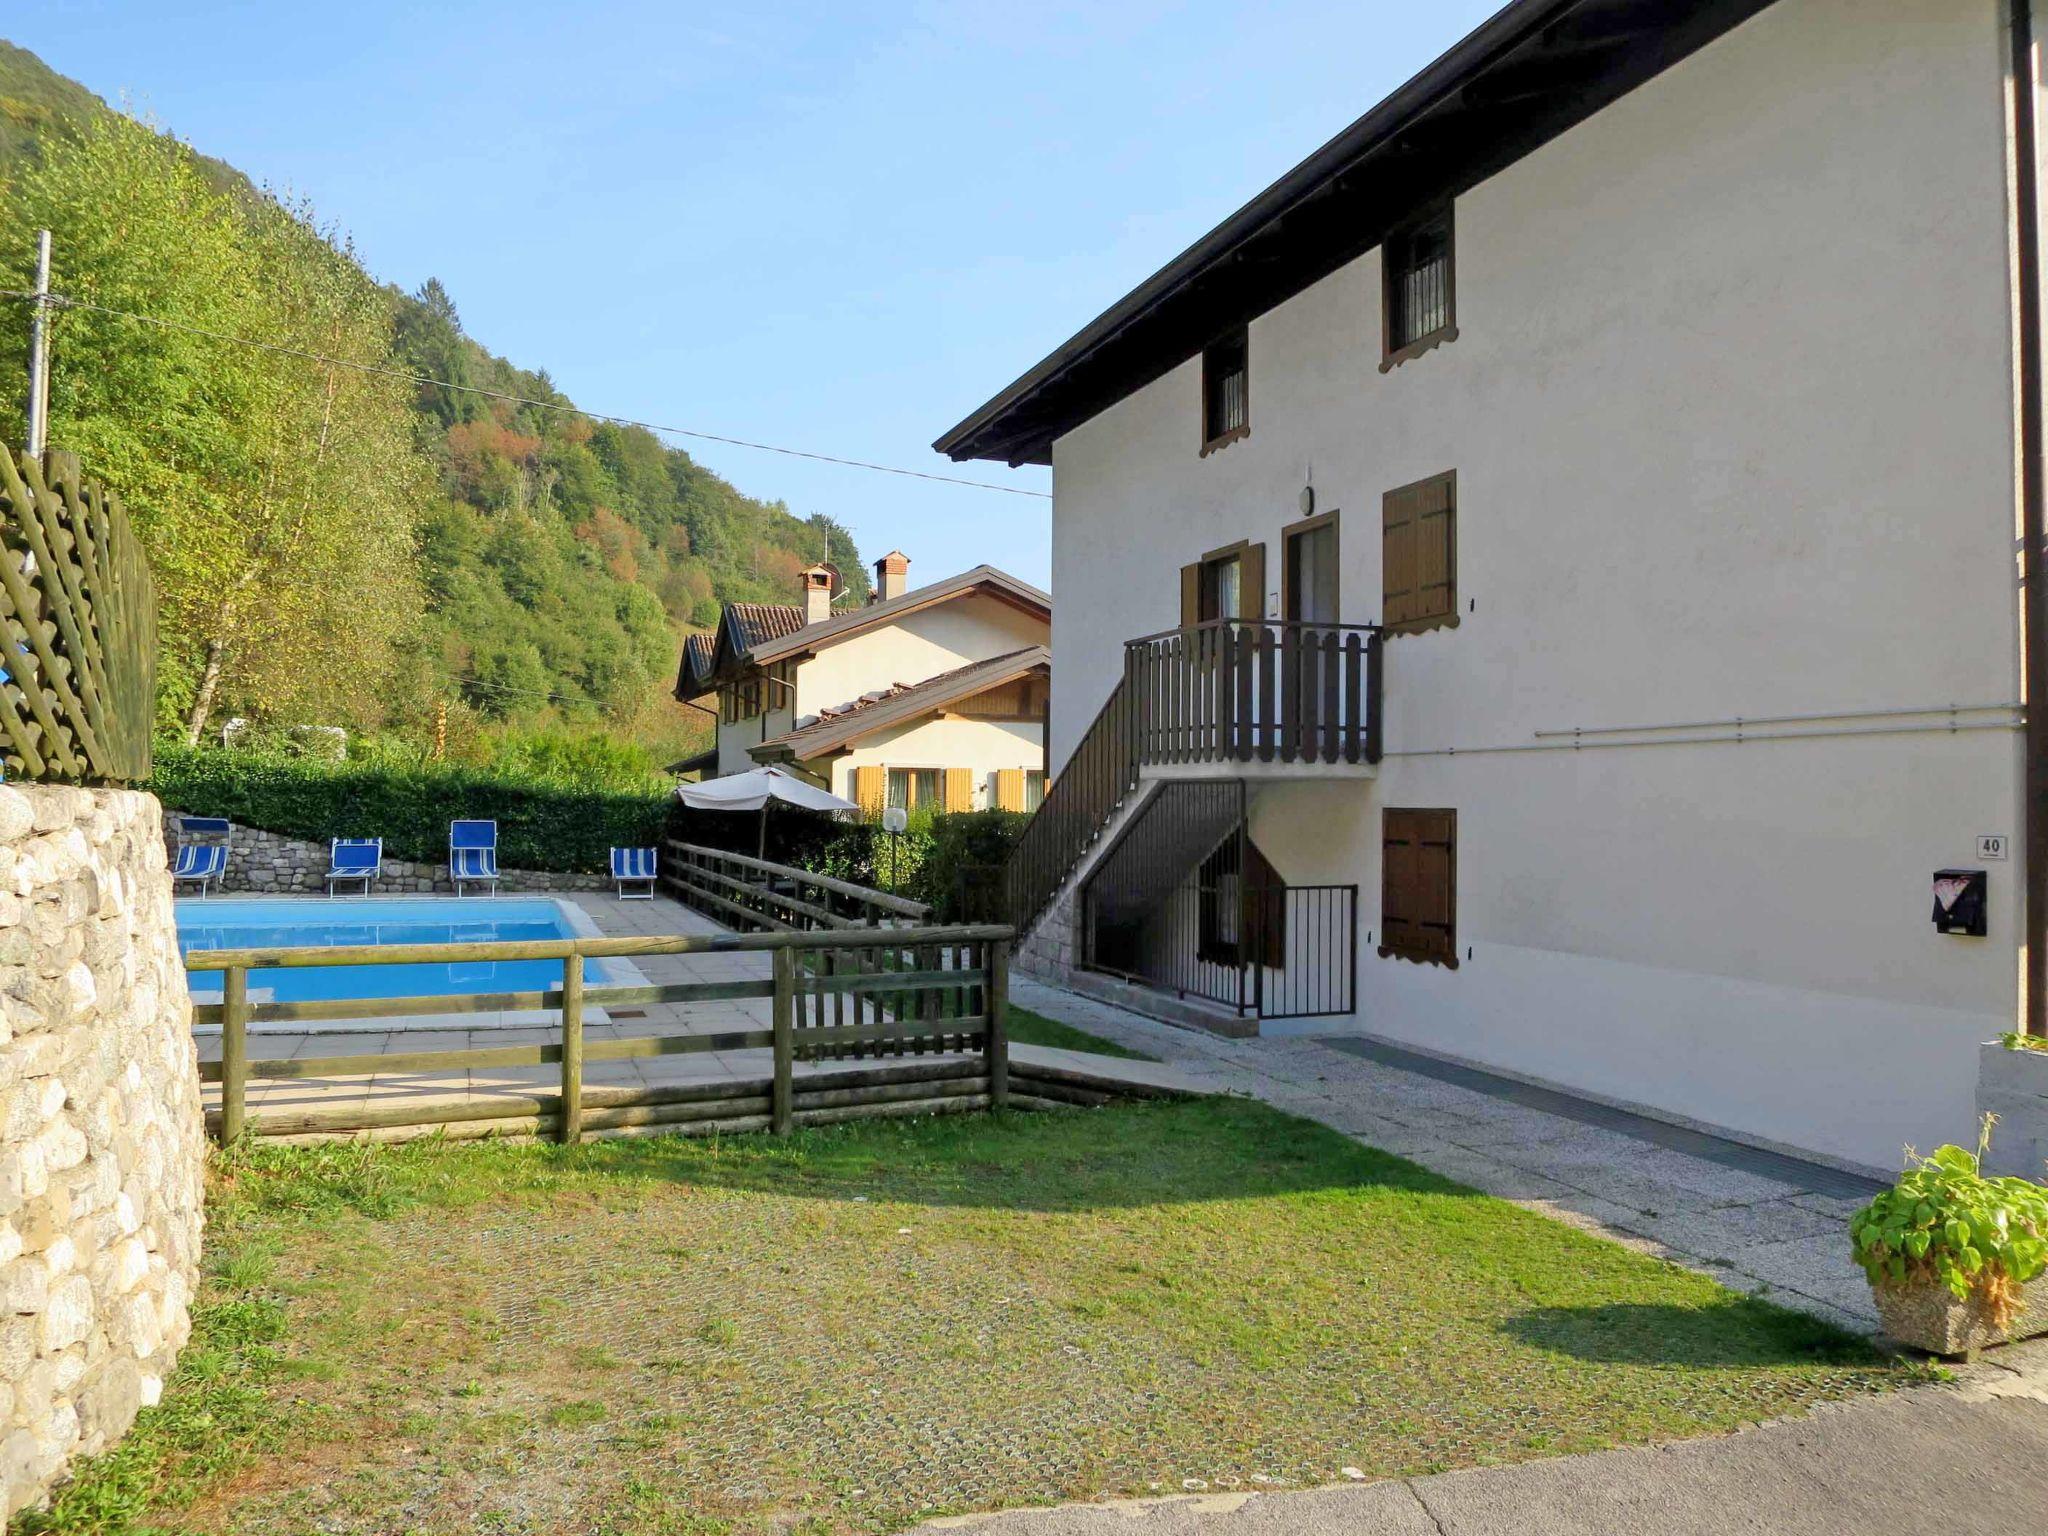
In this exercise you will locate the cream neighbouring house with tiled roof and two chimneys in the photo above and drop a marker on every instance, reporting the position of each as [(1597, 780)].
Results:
[(929, 697)]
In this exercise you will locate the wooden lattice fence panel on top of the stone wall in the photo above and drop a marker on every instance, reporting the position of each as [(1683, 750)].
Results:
[(77, 628)]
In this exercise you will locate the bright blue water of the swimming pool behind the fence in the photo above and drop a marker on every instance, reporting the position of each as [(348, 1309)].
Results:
[(214, 925)]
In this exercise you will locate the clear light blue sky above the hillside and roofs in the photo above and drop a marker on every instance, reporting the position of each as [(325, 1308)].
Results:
[(837, 226)]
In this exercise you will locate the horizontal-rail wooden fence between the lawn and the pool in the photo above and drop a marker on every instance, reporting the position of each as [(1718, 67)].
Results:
[(845, 994)]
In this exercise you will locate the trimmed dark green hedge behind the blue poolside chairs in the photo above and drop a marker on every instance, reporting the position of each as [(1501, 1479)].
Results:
[(540, 826)]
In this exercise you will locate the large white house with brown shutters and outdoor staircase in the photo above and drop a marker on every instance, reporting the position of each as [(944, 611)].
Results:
[(1584, 593)]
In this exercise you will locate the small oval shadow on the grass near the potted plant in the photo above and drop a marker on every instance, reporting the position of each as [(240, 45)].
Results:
[(1740, 1332)]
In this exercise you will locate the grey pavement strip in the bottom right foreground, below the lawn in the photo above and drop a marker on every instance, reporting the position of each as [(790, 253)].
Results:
[(1969, 1459)]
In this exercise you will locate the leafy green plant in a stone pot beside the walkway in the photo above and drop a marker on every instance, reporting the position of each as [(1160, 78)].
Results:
[(1957, 1261)]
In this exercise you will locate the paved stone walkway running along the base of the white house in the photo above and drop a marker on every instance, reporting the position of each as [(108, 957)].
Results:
[(1756, 1222)]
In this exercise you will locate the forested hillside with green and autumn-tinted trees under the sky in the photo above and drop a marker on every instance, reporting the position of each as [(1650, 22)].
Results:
[(431, 564)]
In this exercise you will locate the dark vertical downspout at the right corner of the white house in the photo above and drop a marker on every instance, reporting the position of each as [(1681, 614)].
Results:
[(2033, 513)]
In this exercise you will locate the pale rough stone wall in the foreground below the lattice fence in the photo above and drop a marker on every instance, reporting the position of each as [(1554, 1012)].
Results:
[(101, 1134)]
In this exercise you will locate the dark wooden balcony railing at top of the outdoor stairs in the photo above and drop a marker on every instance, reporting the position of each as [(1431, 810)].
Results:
[(1254, 691)]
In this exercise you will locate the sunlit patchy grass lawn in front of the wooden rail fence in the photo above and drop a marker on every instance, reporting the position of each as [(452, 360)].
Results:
[(857, 1328)]
